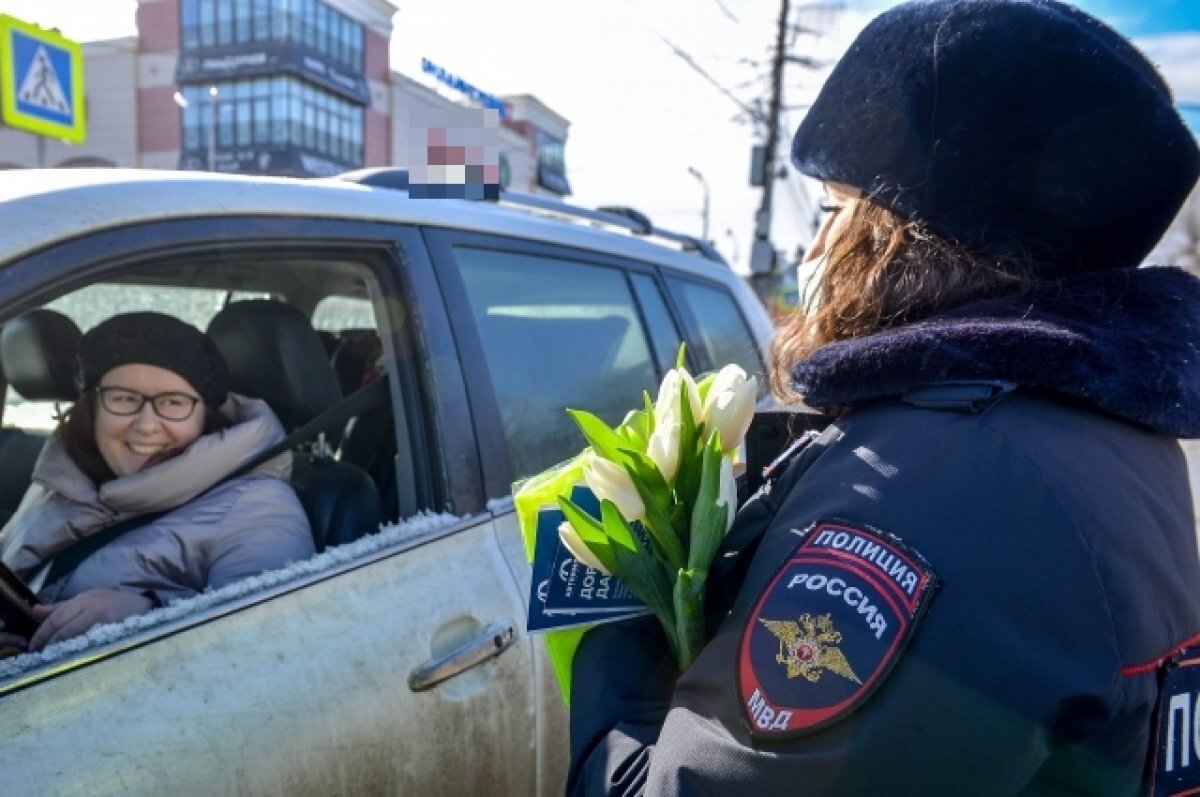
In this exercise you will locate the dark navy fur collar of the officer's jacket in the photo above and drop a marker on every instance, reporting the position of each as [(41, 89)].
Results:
[(1126, 343)]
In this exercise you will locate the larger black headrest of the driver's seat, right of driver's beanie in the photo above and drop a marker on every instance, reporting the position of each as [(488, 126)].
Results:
[(275, 355)]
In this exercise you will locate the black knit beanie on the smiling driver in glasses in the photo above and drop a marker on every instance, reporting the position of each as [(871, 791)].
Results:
[(153, 339)]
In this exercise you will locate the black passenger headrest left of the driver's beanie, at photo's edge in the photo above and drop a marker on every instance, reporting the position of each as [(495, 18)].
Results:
[(38, 356)]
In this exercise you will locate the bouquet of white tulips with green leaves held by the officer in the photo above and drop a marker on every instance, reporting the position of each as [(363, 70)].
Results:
[(664, 480)]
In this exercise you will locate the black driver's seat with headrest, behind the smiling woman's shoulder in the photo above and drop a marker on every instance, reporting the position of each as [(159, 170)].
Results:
[(275, 355)]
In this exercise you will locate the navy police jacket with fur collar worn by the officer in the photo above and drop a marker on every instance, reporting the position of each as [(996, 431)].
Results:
[(965, 585)]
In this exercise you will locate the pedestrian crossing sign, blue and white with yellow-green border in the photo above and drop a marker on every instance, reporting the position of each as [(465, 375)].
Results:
[(41, 81)]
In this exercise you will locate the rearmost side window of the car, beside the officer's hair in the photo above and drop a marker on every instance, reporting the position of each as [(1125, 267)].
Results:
[(719, 325)]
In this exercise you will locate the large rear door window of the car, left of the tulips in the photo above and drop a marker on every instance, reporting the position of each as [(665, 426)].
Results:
[(556, 334)]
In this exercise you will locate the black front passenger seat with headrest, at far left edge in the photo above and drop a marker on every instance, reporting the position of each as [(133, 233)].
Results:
[(37, 358)]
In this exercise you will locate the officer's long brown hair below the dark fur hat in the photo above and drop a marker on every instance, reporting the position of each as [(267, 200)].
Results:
[(885, 272)]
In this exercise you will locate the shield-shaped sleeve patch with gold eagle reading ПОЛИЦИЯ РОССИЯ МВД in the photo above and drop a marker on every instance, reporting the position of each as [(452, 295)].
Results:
[(829, 627)]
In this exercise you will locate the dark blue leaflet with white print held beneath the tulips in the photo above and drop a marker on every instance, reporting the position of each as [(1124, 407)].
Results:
[(566, 594)]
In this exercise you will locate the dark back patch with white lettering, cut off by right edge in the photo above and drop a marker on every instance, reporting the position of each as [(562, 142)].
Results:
[(1178, 738)]
